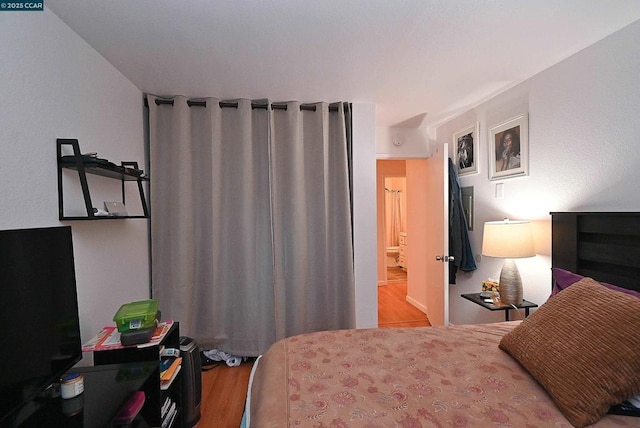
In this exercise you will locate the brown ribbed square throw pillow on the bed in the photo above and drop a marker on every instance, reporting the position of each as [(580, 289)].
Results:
[(583, 347)]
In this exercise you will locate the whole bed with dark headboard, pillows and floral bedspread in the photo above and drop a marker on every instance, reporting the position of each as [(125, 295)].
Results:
[(571, 363)]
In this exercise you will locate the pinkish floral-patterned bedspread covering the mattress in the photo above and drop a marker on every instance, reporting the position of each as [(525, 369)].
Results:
[(409, 377)]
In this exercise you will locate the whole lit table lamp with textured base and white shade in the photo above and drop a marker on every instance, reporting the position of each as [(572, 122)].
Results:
[(510, 240)]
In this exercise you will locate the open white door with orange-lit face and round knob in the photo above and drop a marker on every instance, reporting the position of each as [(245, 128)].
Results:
[(428, 237)]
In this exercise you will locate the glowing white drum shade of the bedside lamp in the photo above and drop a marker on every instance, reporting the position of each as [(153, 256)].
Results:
[(508, 239)]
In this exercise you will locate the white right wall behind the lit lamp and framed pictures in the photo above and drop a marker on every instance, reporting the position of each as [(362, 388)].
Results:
[(583, 134)]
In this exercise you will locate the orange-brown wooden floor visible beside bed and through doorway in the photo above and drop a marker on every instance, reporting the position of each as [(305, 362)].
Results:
[(224, 389)]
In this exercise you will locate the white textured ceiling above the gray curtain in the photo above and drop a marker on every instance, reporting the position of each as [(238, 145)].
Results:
[(419, 61)]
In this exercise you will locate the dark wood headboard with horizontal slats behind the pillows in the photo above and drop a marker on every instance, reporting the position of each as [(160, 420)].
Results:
[(602, 245)]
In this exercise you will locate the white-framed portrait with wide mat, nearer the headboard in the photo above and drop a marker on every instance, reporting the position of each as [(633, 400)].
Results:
[(509, 148)]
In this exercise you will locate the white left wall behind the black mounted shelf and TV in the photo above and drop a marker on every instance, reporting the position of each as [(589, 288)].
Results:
[(54, 85)]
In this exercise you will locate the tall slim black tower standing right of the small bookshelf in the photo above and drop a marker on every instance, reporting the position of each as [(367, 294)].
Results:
[(191, 381)]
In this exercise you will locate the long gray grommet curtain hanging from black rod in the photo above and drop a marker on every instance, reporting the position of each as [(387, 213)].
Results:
[(251, 220)]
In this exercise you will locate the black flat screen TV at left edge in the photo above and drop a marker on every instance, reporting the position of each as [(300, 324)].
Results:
[(39, 324)]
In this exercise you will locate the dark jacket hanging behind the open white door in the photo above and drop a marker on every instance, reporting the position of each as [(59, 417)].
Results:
[(459, 245)]
